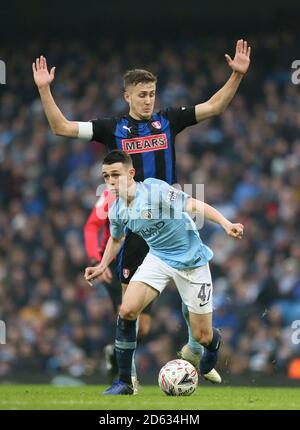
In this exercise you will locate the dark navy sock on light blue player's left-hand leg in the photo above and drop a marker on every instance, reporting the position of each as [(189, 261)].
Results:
[(125, 346)]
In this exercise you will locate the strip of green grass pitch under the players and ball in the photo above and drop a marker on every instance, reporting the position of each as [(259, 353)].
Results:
[(46, 397)]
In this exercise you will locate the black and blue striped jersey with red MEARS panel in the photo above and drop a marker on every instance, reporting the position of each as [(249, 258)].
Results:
[(151, 143)]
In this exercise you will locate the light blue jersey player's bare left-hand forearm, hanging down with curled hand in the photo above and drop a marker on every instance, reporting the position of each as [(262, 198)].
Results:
[(112, 248)]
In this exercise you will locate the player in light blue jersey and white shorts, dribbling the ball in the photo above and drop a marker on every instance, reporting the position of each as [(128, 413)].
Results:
[(160, 214)]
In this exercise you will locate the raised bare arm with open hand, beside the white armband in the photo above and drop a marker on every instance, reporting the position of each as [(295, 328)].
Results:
[(43, 78)]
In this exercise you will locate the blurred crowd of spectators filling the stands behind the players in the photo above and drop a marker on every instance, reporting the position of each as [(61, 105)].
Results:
[(248, 159)]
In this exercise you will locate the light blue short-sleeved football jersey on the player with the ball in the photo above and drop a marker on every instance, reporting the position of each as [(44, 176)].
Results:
[(157, 213)]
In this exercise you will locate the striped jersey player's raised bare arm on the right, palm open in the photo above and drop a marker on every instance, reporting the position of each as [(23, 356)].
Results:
[(221, 99)]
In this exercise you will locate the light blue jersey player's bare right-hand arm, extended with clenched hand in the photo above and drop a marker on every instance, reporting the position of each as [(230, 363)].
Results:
[(232, 229)]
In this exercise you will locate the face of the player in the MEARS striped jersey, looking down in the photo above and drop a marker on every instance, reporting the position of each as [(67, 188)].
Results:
[(141, 99)]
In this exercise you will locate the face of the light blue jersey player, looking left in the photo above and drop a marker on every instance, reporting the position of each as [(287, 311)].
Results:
[(118, 177)]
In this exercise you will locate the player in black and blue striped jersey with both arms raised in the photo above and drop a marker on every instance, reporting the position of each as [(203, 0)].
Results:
[(148, 136)]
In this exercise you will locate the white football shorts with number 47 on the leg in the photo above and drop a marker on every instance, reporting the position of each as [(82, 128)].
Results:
[(194, 285)]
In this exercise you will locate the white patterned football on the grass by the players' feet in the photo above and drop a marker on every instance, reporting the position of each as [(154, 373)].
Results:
[(178, 378)]
